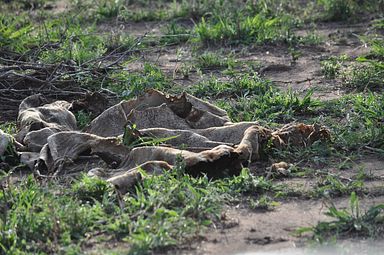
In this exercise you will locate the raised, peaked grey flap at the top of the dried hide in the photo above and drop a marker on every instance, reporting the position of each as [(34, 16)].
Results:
[(152, 110)]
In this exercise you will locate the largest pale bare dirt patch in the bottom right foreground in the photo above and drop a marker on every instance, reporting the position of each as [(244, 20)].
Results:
[(269, 231)]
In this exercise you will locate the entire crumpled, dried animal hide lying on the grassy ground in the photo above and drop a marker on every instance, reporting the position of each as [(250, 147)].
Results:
[(152, 132)]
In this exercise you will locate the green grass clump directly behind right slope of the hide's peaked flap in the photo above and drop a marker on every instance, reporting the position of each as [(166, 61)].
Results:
[(251, 98)]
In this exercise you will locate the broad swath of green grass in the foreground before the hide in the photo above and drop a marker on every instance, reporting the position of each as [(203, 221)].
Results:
[(162, 212)]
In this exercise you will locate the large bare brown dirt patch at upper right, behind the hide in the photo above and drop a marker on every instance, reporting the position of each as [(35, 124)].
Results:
[(305, 73)]
